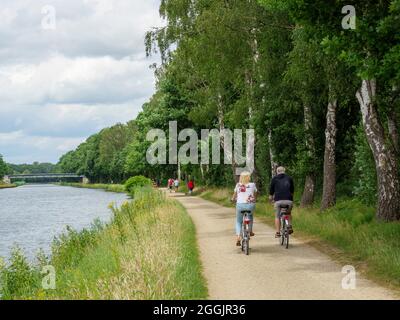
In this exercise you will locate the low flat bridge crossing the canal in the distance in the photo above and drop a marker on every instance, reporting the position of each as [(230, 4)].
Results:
[(45, 178)]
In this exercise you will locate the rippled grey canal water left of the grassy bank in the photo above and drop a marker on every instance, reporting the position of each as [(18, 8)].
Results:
[(32, 215)]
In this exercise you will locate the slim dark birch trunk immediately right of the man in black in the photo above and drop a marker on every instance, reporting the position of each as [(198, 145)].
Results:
[(307, 198)]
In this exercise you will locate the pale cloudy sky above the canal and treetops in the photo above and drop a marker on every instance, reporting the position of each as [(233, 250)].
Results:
[(69, 69)]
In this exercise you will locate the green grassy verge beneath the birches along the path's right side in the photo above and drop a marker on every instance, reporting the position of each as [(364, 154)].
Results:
[(348, 232)]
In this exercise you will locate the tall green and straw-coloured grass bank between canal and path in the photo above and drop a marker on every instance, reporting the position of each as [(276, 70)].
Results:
[(147, 251)]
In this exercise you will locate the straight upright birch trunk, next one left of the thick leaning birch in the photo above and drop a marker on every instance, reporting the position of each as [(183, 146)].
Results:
[(329, 187)]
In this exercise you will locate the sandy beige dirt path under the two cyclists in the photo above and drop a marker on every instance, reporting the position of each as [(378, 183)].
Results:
[(270, 272)]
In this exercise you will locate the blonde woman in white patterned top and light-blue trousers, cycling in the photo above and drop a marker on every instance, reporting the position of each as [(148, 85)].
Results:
[(245, 195)]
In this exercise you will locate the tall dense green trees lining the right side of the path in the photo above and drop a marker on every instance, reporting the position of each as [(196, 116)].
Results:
[(320, 88)]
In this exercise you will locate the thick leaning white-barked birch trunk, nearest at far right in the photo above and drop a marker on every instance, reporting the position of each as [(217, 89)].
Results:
[(384, 155)]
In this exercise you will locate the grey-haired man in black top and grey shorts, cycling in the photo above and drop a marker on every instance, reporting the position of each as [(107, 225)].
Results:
[(281, 192)]
